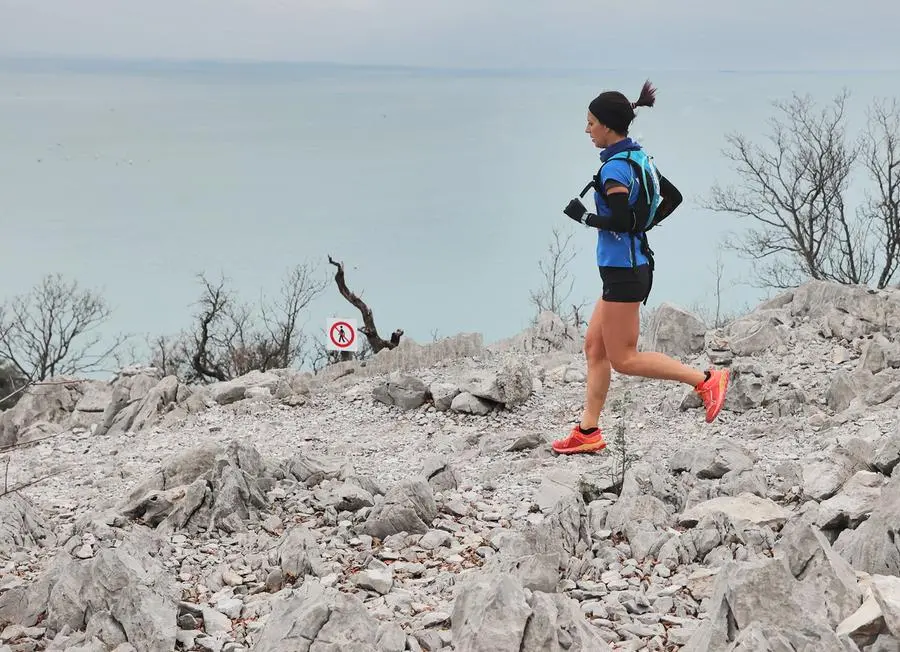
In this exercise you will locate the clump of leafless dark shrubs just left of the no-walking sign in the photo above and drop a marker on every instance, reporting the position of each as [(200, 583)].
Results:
[(230, 338)]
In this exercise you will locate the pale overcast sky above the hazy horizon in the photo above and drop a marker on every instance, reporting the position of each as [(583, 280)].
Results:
[(688, 34)]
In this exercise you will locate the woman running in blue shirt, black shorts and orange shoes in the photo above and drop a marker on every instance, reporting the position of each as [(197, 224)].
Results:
[(627, 190)]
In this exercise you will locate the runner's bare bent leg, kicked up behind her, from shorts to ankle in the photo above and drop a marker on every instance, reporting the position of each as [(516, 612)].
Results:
[(620, 328)]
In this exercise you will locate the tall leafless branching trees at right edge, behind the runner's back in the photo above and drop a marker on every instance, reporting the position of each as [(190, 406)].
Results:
[(794, 189)]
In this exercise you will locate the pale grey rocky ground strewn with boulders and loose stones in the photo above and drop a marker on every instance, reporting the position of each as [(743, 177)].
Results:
[(414, 503)]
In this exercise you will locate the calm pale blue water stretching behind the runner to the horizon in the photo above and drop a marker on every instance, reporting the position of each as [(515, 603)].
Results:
[(439, 190)]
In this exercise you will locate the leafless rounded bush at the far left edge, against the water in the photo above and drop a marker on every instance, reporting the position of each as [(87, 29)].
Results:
[(52, 330)]
